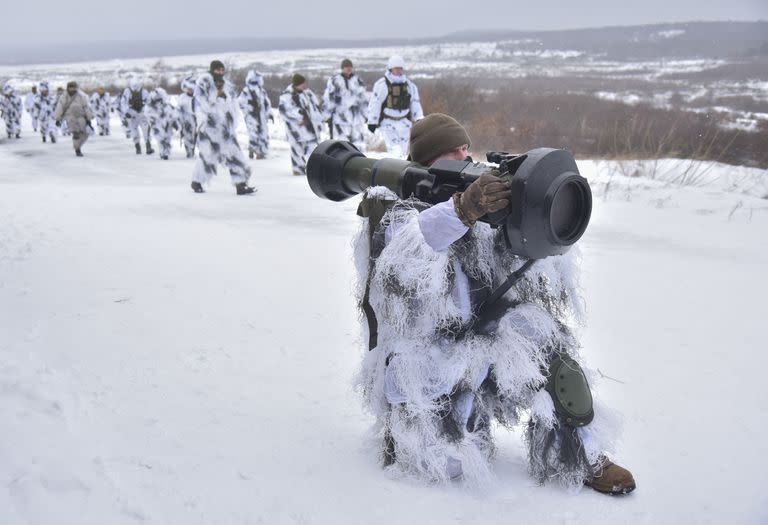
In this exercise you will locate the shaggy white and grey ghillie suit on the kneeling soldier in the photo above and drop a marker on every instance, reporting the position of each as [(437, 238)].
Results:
[(435, 394)]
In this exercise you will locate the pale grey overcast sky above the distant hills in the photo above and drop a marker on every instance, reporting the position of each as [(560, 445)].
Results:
[(47, 21)]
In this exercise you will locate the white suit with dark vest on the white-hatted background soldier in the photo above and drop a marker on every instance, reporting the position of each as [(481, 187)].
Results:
[(394, 104)]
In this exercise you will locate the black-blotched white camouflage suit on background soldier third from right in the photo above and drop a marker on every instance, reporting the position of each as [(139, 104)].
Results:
[(303, 125)]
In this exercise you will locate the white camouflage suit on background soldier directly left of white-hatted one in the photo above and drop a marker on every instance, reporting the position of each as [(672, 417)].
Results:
[(344, 103)]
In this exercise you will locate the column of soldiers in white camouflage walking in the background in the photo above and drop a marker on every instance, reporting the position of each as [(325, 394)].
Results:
[(207, 112)]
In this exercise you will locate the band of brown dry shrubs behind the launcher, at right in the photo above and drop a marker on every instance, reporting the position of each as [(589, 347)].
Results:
[(519, 120)]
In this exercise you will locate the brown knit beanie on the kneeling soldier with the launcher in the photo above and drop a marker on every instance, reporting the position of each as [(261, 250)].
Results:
[(434, 135)]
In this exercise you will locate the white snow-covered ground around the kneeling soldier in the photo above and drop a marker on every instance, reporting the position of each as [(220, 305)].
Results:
[(170, 358)]
